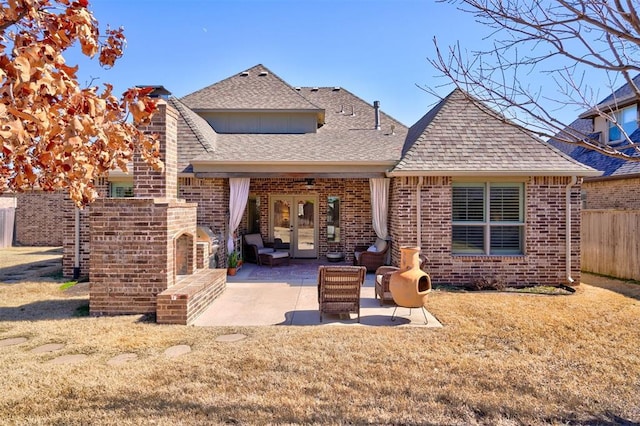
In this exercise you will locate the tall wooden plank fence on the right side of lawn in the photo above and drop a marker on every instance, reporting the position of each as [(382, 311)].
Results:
[(611, 243)]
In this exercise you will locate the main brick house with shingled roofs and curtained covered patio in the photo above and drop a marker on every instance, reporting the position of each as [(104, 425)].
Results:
[(482, 198)]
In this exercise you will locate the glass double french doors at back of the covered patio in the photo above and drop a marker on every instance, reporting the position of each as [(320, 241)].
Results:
[(294, 219)]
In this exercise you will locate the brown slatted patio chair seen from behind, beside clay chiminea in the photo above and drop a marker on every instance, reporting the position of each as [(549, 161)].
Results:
[(339, 289)]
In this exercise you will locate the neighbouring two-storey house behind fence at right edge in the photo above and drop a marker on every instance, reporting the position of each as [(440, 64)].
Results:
[(619, 185)]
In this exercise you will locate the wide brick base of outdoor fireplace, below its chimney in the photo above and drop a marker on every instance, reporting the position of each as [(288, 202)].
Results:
[(133, 252)]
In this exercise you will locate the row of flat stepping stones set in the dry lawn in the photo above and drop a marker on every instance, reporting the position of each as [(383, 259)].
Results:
[(171, 352)]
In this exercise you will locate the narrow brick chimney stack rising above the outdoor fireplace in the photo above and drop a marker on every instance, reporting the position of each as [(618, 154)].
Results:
[(150, 183)]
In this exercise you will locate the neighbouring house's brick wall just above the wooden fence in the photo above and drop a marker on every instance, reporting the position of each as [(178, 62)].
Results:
[(623, 193)]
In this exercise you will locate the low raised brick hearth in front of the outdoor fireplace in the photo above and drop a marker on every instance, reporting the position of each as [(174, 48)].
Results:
[(192, 295)]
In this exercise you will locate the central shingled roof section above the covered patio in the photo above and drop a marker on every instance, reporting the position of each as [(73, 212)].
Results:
[(346, 135)]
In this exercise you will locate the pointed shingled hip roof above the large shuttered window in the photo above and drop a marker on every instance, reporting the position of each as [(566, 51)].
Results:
[(459, 137)]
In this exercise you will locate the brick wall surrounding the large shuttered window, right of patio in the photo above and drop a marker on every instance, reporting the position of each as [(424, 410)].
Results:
[(544, 259)]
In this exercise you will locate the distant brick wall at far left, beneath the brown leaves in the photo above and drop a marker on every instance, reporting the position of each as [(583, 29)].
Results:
[(38, 218)]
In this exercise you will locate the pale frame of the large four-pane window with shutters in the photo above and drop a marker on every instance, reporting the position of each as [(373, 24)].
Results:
[(487, 224)]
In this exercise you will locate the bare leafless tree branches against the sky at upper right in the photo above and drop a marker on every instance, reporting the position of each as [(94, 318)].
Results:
[(570, 41)]
